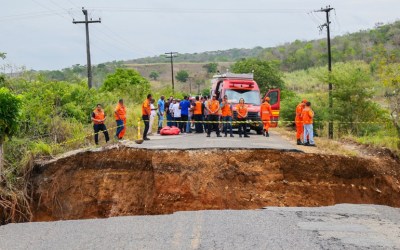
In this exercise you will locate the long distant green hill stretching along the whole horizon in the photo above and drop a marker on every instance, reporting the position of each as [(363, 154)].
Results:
[(363, 45)]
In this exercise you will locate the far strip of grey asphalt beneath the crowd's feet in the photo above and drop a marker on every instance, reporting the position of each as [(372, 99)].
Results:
[(190, 141)]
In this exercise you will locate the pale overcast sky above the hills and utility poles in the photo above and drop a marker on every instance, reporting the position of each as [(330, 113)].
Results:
[(39, 34)]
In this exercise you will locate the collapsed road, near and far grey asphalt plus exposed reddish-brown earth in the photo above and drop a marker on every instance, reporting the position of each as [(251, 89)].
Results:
[(191, 172)]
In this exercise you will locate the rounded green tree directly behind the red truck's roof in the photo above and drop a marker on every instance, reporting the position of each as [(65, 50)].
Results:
[(266, 74)]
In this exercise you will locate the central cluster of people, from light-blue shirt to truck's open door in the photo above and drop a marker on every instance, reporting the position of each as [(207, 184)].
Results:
[(207, 114)]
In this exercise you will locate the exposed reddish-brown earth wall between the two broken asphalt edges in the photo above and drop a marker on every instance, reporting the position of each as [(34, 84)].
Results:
[(128, 181)]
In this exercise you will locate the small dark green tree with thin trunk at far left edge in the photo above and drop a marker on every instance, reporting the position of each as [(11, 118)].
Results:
[(10, 106)]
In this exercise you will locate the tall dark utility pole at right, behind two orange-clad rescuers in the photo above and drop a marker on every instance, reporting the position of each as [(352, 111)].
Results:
[(327, 10)]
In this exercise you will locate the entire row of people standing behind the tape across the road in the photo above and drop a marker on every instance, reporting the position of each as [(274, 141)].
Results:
[(207, 115)]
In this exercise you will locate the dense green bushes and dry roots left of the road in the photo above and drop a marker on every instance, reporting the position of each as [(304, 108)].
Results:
[(53, 117)]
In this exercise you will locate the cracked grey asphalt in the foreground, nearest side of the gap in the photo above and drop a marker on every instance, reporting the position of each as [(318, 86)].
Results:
[(338, 227)]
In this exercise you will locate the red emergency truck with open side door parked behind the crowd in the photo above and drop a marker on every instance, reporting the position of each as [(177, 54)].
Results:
[(237, 86)]
